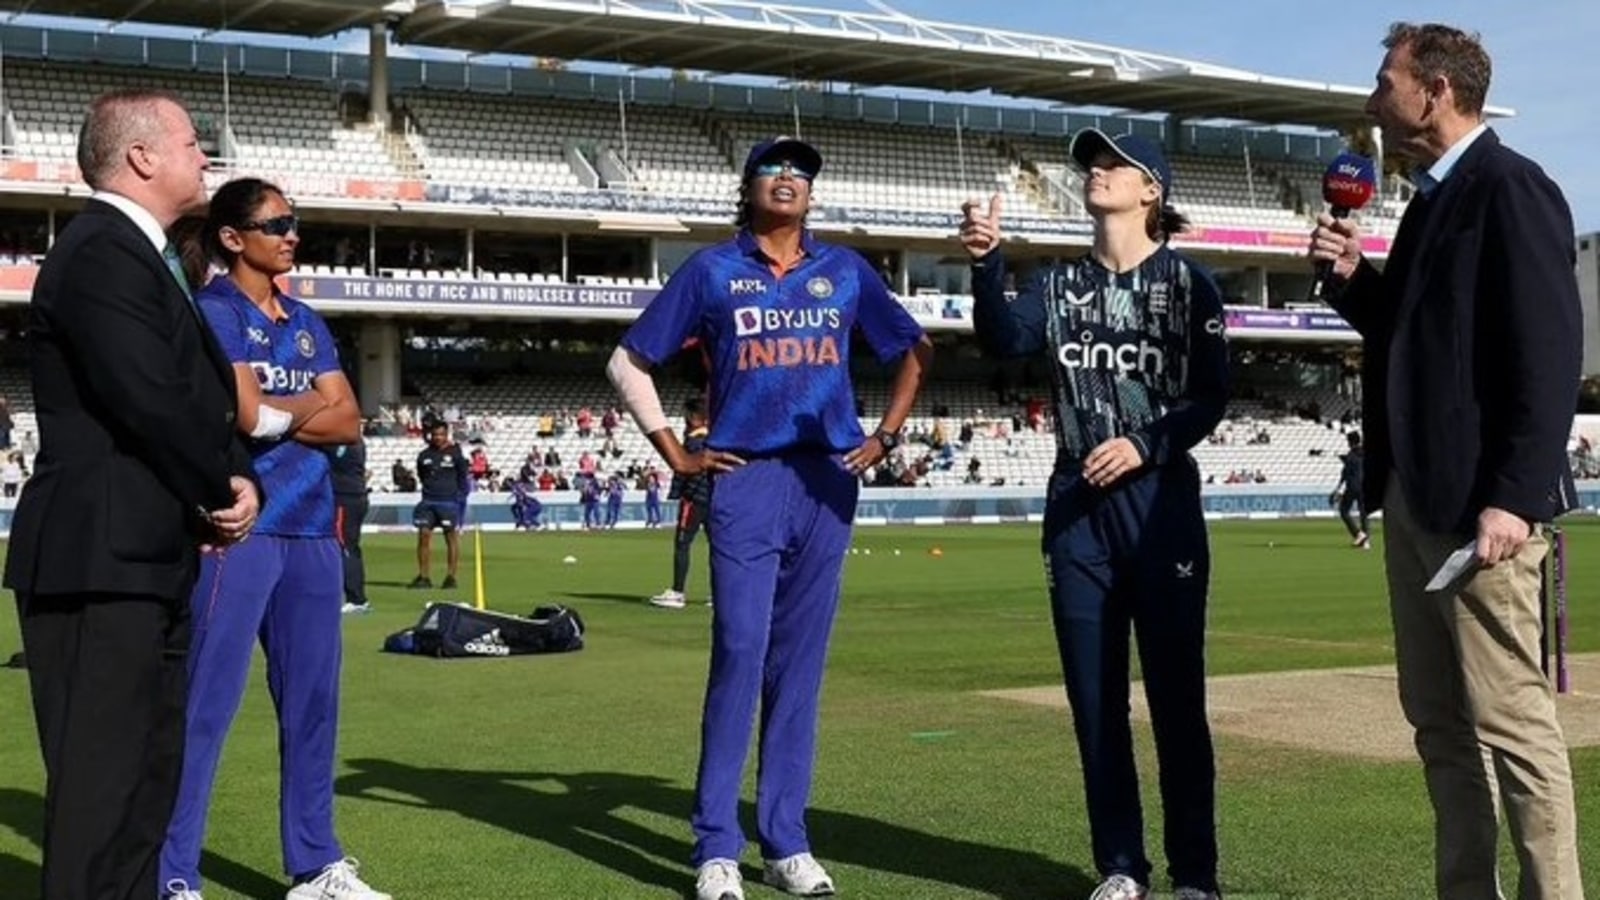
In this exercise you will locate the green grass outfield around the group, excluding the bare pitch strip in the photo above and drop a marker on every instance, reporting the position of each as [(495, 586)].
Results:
[(570, 777)]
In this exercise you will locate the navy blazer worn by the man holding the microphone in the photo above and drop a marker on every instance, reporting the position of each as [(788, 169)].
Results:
[(1474, 347)]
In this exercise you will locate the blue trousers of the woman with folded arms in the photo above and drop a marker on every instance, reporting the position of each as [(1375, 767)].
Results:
[(287, 593)]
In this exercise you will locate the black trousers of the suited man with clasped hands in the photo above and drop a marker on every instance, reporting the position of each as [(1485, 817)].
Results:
[(110, 689)]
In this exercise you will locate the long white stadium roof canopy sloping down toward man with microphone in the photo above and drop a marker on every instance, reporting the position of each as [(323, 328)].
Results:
[(879, 50)]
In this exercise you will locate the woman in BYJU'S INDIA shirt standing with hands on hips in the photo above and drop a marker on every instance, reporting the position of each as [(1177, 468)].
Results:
[(774, 310)]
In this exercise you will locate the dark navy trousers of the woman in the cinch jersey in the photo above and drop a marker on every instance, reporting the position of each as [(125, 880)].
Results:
[(1137, 556)]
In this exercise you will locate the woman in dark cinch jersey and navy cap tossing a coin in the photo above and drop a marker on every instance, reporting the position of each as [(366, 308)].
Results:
[(1140, 376)]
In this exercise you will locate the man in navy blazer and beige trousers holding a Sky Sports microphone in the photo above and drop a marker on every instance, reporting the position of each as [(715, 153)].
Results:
[(1471, 382)]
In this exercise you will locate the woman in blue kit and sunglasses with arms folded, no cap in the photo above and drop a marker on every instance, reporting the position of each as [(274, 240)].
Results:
[(284, 587)]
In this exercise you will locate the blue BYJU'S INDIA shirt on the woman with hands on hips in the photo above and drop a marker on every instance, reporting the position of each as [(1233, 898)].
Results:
[(778, 347)]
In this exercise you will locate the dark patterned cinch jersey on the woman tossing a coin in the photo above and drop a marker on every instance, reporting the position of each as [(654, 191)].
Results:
[(1138, 355)]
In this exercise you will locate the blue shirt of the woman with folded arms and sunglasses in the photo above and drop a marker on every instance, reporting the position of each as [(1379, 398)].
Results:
[(287, 358)]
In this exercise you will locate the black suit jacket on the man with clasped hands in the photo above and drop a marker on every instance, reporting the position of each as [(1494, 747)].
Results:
[(137, 422)]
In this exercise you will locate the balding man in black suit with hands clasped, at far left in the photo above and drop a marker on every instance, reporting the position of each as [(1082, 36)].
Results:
[(138, 468)]
